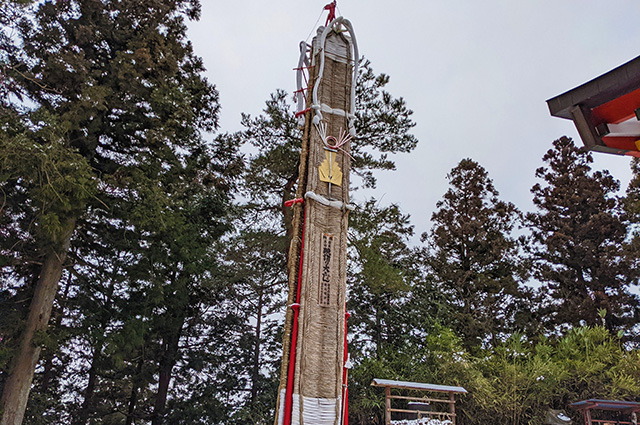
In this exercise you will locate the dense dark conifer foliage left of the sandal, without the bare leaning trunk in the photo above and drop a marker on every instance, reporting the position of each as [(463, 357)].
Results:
[(115, 142)]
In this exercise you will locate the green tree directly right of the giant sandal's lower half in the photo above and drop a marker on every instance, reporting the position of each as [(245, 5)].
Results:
[(381, 271)]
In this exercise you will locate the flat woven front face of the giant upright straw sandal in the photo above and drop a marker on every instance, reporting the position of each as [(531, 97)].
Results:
[(320, 345)]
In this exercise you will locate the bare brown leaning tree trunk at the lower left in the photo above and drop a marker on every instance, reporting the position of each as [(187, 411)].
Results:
[(16, 390)]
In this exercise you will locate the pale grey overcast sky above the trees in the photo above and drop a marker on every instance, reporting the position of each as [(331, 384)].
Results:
[(475, 73)]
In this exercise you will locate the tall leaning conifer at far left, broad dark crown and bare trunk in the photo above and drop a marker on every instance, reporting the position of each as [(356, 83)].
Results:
[(123, 83)]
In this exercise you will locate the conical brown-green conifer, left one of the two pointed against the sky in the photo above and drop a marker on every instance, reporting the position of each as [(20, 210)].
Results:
[(473, 256)]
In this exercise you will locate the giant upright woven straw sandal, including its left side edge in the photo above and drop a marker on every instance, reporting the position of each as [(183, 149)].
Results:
[(318, 365)]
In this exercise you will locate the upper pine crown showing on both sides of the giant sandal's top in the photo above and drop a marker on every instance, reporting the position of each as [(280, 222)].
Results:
[(383, 124)]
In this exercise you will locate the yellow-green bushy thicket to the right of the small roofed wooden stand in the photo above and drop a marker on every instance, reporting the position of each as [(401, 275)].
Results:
[(523, 379)]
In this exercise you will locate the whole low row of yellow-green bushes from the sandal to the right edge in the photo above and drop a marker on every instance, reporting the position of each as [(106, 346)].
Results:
[(515, 384)]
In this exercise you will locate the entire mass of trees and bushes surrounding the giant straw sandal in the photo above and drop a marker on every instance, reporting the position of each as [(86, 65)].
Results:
[(142, 252)]
